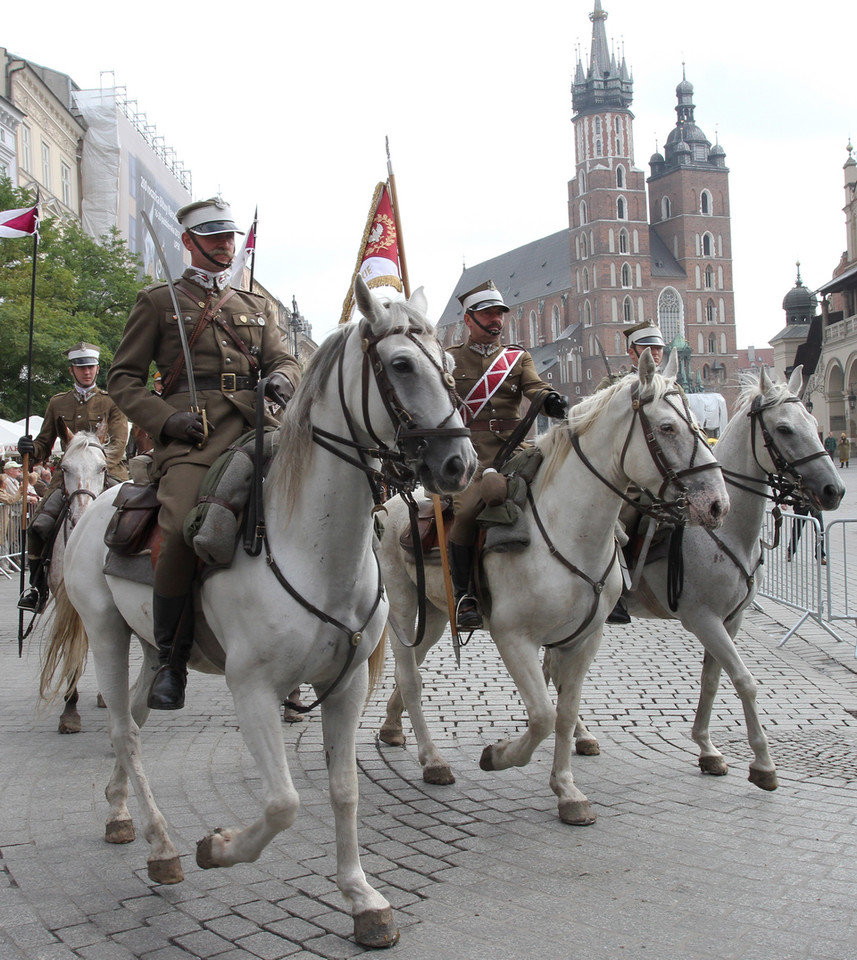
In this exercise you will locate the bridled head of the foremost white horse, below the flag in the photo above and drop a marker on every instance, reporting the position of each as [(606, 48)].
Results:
[(404, 399)]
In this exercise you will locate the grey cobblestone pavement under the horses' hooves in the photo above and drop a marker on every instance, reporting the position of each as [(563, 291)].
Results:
[(679, 866)]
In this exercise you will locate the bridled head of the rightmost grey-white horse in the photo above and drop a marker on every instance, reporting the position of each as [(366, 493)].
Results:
[(785, 441)]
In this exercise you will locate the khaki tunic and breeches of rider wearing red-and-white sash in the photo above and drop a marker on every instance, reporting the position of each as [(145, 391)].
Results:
[(505, 404)]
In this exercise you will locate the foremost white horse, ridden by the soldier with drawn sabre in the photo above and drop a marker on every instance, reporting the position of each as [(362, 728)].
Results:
[(312, 609)]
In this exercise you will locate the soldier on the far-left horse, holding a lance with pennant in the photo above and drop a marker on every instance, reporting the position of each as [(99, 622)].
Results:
[(84, 407)]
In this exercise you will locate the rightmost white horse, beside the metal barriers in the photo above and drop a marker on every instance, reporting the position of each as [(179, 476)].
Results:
[(771, 441)]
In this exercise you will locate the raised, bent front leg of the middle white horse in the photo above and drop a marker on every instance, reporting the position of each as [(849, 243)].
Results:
[(520, 654)]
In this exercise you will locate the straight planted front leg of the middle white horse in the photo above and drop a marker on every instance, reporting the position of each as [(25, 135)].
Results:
[(568, 670)]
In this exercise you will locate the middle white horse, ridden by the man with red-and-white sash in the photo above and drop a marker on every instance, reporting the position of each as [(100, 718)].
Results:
[(558, 591)]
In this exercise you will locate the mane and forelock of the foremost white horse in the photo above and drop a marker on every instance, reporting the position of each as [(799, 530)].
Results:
[(295, 440)]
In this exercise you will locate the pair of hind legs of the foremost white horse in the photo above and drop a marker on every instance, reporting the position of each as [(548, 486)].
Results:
[(111, 668)]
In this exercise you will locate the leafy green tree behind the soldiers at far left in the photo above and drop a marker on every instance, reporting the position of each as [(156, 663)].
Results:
[(85, 289)]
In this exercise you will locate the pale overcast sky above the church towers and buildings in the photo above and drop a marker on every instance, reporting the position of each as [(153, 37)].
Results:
[(287, 106)]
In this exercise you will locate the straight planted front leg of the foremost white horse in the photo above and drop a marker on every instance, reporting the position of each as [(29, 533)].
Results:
[(340, 716)]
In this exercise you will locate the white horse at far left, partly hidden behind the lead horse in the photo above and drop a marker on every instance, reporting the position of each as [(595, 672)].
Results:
[(84, 474)]
